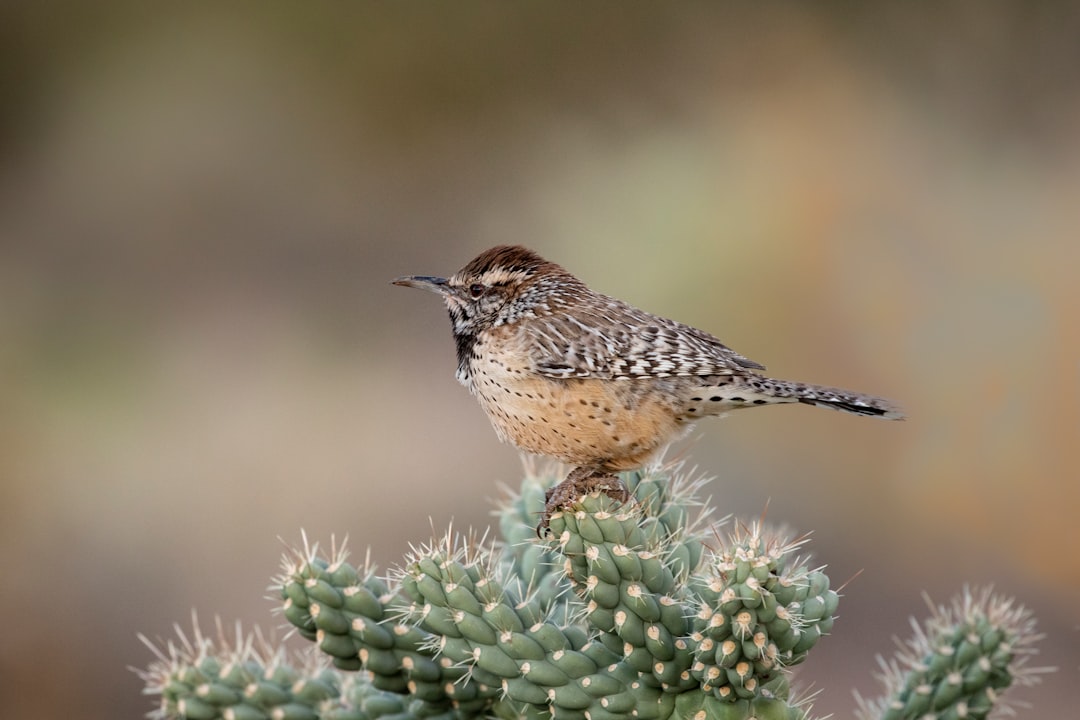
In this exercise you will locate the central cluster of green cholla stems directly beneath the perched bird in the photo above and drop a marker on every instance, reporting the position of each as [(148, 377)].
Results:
[(622, 613)]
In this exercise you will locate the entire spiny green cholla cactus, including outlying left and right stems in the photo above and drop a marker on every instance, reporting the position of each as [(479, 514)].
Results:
[(636, 610)]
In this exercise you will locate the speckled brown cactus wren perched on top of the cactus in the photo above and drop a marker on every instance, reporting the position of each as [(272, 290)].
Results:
[(564, 372)]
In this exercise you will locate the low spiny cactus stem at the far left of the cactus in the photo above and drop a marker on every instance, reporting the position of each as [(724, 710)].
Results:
[(199, 680)]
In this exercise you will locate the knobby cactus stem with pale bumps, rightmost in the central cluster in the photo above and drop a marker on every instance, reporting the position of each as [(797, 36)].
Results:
[(760, 613)]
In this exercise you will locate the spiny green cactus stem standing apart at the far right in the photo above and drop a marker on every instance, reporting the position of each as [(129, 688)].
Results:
[(960, 662)]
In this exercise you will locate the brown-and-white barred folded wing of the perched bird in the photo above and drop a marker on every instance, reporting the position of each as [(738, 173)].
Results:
[(614, 341)]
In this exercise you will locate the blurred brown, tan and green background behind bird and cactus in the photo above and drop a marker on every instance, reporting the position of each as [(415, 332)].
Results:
[(202, 206)]
